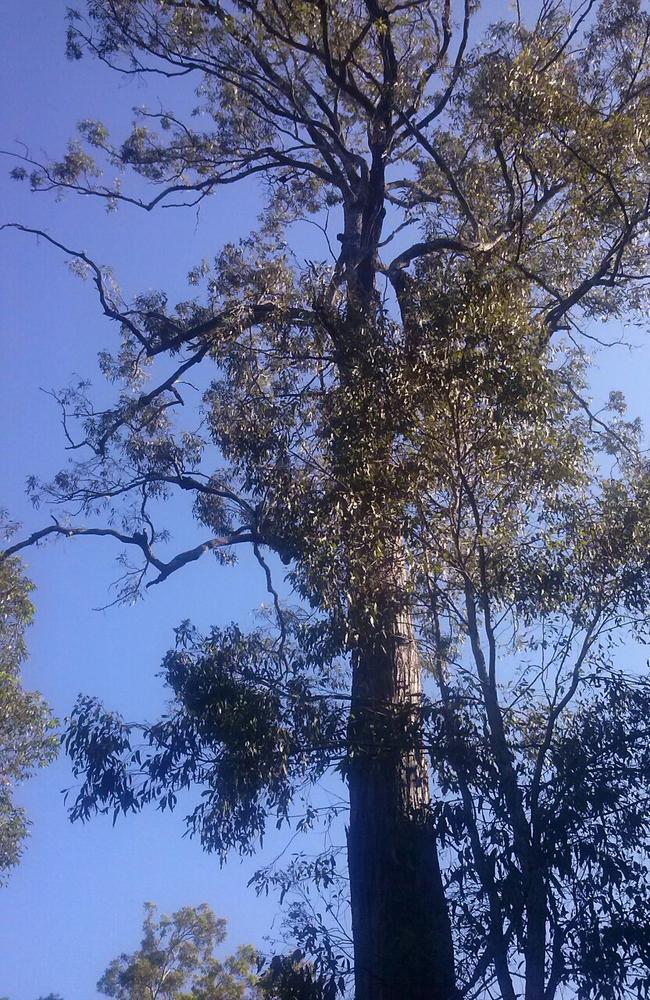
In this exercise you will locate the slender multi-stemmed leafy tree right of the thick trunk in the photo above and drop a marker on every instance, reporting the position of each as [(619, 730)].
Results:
[(532, 598)]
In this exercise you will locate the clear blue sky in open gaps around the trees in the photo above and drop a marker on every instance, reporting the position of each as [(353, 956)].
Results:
[(75, 902)]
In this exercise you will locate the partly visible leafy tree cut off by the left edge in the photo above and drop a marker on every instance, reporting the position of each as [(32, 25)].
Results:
[(27, 738)]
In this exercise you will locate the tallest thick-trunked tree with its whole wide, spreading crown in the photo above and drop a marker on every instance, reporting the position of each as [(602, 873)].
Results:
[(513, 171)]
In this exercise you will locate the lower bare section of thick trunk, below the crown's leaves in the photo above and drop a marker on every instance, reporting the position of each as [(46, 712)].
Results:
[(402, 935)]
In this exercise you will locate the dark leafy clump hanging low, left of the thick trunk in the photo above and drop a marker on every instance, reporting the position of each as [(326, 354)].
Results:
[(251, 725)]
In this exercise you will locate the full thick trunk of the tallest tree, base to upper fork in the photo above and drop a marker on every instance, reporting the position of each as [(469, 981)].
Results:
[(402, 935)]
